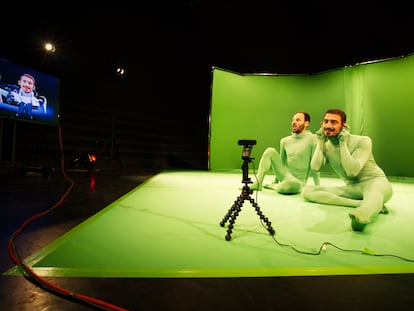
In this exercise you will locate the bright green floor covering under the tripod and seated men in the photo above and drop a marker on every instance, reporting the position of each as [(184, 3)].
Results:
[(169, 227)]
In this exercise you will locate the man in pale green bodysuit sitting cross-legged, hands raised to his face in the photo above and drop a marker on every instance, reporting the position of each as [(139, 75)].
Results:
[(366, 186)]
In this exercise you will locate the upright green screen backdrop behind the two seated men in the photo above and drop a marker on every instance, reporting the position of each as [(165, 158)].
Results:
[(260, 107)]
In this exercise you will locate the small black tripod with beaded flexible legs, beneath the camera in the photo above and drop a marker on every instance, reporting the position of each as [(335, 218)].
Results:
[(235, 209)]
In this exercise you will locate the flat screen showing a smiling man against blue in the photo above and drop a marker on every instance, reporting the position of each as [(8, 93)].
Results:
[(28, 95)]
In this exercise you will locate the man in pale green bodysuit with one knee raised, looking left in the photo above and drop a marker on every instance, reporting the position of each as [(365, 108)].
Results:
[(292, 166)]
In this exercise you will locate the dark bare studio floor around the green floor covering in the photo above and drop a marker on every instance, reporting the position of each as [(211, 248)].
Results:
[(25, 195)]
